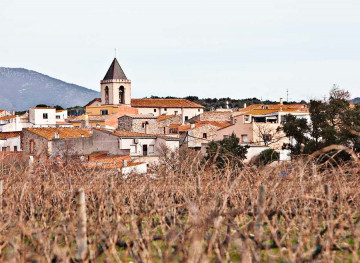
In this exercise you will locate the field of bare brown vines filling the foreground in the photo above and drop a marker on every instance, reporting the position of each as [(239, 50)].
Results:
[(190, 213)]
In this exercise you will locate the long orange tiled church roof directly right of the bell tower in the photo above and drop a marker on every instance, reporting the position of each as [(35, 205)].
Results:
[(164, 103)]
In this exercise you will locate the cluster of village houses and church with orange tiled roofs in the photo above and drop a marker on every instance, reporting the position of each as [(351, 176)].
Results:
[(125, 134)]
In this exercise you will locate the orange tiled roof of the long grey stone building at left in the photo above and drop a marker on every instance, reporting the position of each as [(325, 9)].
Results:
[(64, 133)]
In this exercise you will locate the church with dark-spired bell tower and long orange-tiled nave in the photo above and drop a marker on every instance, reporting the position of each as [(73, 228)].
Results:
[(116, 99)]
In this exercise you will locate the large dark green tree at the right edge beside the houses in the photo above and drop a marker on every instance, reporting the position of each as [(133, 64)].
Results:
[(333, 122)]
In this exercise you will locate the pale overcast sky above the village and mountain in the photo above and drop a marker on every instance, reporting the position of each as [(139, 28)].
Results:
[(238, 49)]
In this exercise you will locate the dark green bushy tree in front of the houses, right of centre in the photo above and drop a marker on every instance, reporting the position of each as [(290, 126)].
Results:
[(226, 151)]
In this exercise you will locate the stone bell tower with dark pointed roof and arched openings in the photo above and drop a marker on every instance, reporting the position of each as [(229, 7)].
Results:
[(115, 87)]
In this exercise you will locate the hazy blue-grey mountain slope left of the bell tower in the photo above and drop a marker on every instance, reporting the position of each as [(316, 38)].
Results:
[(22, 88)]
